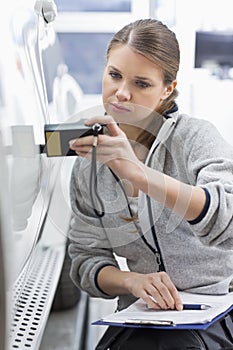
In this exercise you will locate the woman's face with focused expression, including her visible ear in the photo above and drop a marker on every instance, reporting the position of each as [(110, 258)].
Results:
[(132, 85)]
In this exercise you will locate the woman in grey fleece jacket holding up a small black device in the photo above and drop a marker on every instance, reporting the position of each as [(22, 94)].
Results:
[(166, 183)]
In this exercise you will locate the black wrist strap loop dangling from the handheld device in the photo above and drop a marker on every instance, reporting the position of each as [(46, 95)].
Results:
[(97, 202)]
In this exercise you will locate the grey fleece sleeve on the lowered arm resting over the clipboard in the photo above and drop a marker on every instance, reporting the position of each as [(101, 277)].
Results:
[(89, 247)]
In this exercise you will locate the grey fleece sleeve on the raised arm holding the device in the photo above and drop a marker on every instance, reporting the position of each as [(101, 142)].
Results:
[(210, 164)]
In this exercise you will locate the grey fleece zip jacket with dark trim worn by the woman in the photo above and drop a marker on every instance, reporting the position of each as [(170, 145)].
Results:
[(197, 255)]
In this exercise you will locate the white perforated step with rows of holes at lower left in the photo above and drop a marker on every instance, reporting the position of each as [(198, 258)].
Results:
[(32, 299)]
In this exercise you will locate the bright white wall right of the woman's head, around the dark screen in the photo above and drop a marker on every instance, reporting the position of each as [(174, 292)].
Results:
[(201, 94)]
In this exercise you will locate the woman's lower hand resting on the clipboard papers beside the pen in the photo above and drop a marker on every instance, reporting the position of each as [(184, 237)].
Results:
[(156, 289)]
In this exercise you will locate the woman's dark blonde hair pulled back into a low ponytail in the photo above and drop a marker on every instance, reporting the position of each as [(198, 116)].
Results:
[(155, 41)]
